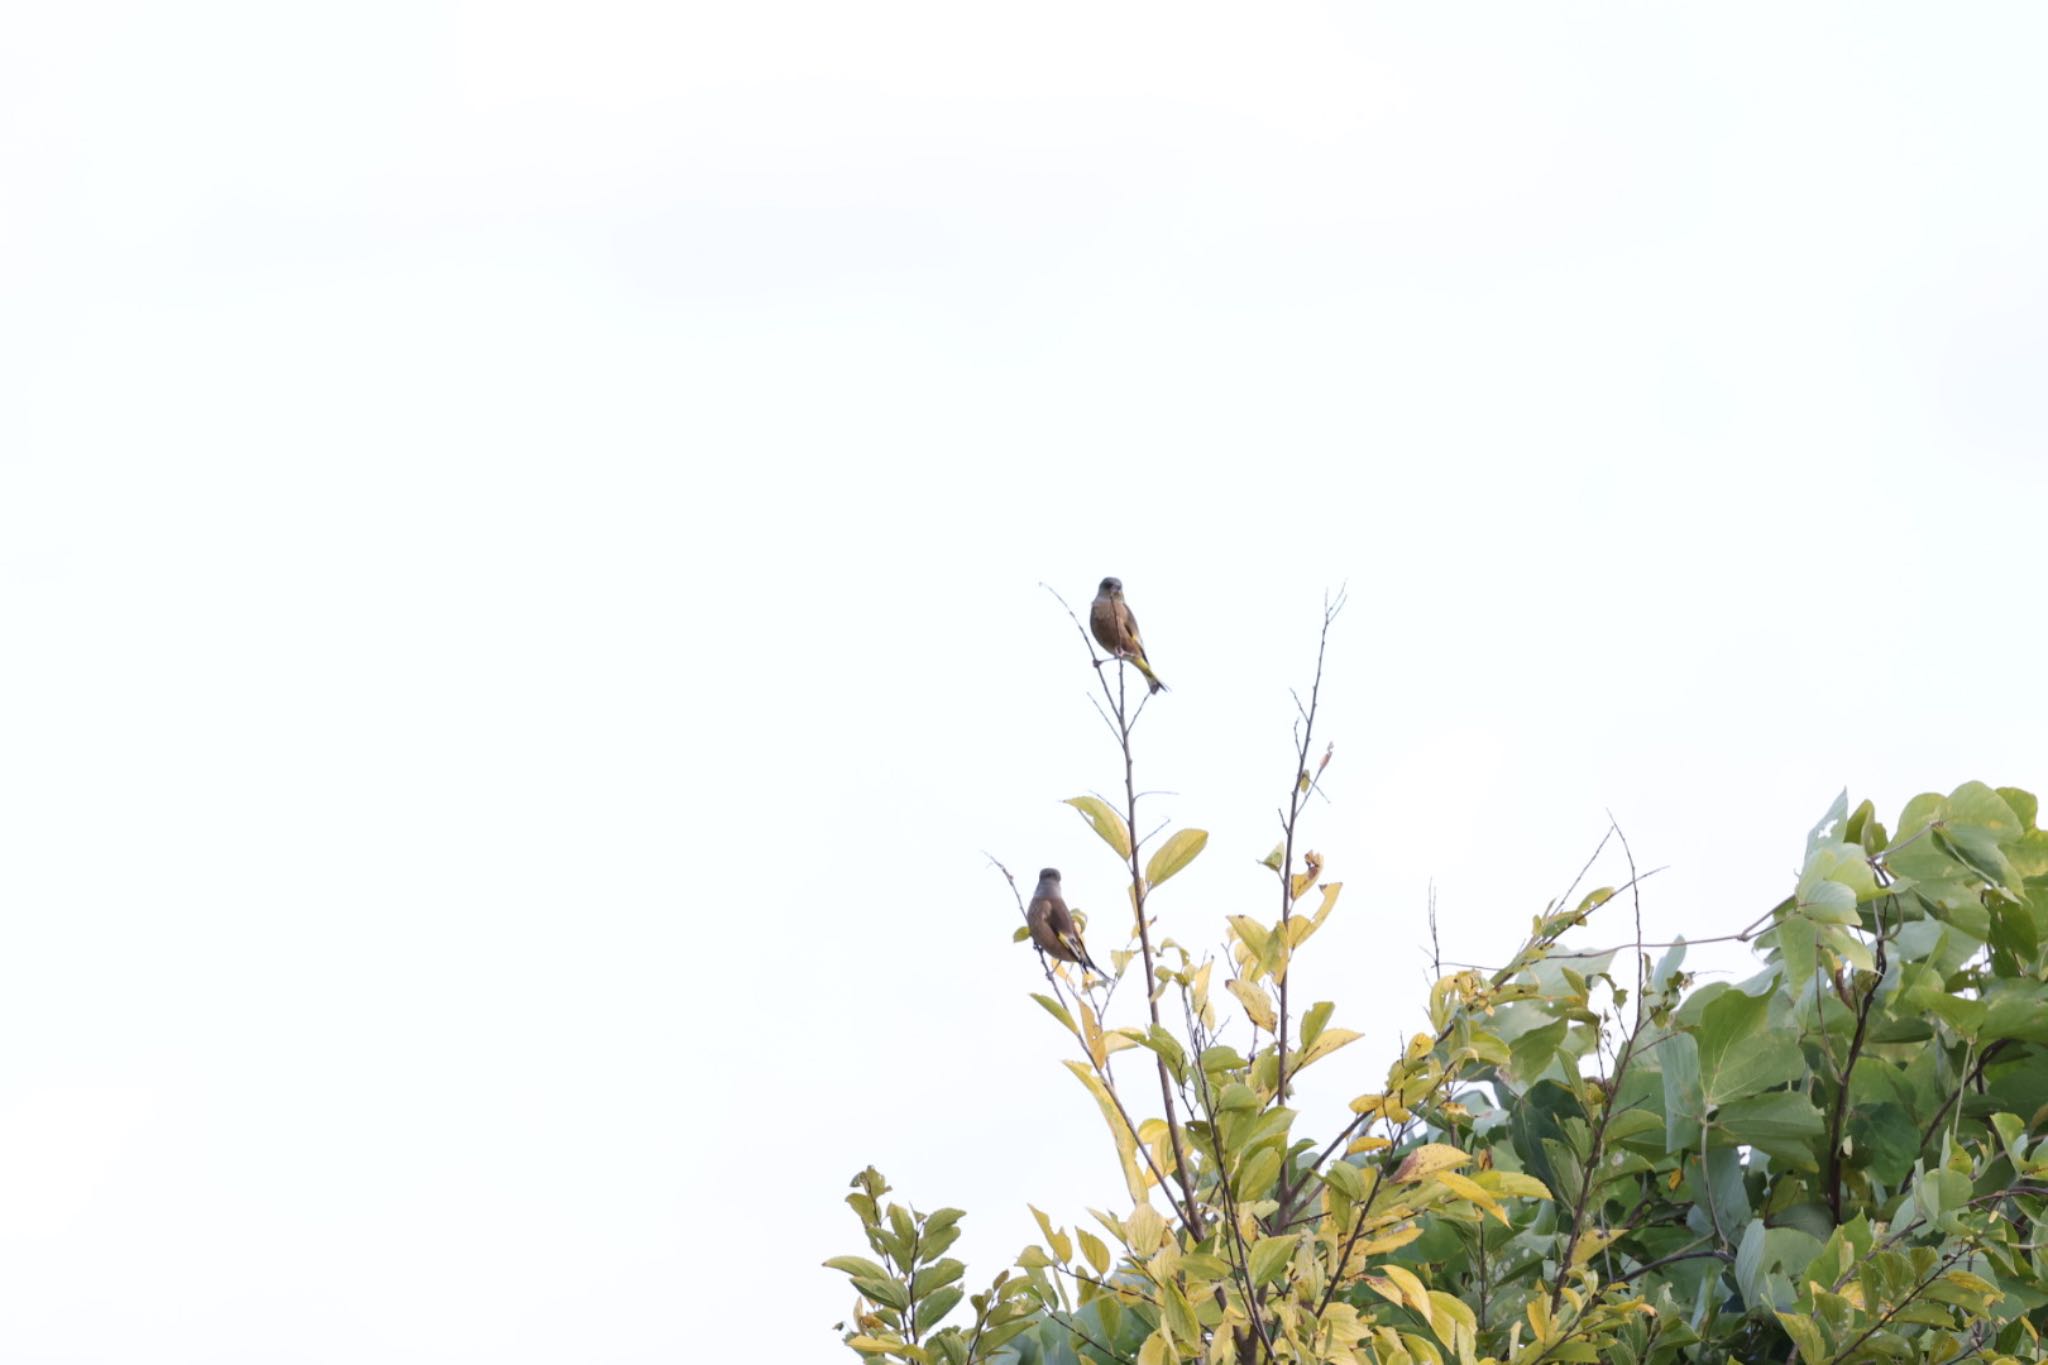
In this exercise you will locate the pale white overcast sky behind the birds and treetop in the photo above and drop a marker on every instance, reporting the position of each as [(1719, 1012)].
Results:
[(521, 533)]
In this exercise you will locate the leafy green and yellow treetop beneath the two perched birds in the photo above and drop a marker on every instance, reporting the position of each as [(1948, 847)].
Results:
[(1580, 1159)]
